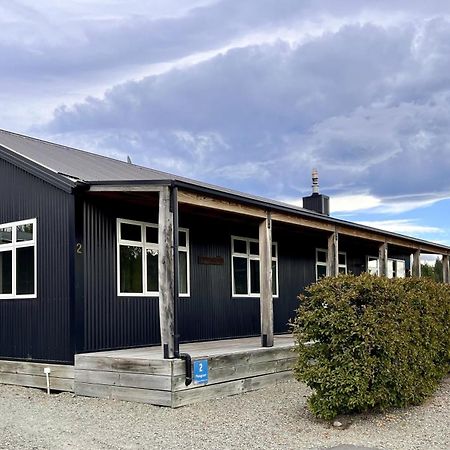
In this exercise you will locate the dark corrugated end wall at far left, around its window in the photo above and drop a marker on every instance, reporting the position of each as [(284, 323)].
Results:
[(38, 329)]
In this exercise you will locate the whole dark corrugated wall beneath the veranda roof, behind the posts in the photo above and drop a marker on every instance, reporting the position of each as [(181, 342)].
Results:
[(210, 312)]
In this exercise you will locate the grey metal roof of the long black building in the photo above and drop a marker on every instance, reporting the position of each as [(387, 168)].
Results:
[(68, 167)]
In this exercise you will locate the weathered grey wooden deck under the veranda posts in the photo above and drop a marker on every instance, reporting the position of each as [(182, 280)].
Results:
[(142, 375)]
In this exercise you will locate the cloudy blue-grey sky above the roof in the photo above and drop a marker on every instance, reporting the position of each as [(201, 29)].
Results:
[(248, 94)]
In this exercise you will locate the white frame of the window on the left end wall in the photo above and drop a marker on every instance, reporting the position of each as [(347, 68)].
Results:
[(12, 247)]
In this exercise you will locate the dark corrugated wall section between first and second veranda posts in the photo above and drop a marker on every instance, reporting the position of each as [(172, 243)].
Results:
[(211, 312)]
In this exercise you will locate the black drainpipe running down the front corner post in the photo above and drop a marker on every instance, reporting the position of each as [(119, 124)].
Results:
[(176, 289)]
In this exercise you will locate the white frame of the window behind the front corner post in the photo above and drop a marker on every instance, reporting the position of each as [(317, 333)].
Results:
[(147, 246)]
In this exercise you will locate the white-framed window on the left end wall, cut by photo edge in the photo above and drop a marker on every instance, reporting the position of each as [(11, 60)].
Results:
[(18, 259)]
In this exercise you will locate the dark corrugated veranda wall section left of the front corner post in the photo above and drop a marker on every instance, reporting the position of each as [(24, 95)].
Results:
[(112, 321)]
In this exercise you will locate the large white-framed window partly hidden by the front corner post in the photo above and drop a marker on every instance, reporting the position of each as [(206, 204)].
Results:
[(137, 259)]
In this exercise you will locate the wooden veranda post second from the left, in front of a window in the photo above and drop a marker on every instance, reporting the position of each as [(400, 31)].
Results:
[(265, 281)]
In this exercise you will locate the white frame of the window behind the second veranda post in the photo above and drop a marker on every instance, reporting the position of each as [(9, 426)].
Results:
[(250, 257)]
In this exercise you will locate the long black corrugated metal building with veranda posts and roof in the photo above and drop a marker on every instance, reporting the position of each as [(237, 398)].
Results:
[(101, 254)]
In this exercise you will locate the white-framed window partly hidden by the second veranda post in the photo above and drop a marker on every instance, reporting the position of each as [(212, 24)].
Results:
[(245, 267)]
